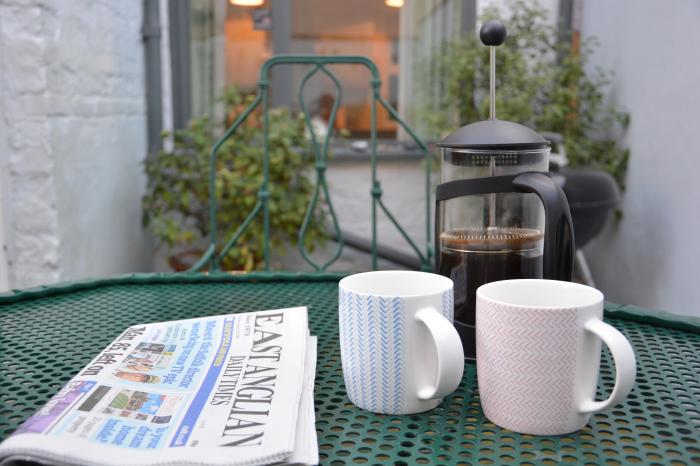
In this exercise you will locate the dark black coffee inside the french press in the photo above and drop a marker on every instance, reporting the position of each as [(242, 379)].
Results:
[(473, 258)]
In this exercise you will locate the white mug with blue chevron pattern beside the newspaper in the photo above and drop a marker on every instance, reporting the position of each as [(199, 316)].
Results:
[(400, 352)]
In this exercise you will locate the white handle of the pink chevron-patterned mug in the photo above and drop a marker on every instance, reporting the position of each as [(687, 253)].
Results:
[(625, 365)]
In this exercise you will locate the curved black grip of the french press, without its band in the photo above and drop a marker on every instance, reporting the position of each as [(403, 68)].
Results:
[(559, 243)]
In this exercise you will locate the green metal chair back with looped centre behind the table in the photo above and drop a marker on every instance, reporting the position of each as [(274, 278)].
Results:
[(319, 64)]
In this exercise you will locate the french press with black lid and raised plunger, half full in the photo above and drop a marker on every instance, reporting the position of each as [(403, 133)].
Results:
[(499, 215)]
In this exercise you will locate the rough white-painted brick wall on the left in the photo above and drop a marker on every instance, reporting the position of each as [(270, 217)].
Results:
[(72, 138)]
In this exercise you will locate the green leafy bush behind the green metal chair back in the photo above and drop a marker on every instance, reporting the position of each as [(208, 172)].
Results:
[(176, 205)]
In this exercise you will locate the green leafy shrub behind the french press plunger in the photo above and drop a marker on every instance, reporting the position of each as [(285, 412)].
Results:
[(542, 82)]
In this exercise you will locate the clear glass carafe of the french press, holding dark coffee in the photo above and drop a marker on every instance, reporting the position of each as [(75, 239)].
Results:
[(494, 236)]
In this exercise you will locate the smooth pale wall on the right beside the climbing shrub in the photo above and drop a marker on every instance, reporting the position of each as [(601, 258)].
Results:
[(651, 257)]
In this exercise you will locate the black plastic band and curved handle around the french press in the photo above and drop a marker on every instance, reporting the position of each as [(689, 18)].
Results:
[(559, 244)]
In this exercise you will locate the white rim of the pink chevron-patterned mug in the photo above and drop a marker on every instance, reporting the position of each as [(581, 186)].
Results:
[(593, 298)]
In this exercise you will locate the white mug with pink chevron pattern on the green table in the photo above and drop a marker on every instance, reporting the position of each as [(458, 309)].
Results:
[(538, 348)]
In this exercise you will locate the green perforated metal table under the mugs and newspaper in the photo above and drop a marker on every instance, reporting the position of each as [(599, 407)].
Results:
[(47, 334)]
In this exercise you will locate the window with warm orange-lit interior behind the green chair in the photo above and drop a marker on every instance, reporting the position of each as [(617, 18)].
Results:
[(229, 43)]
